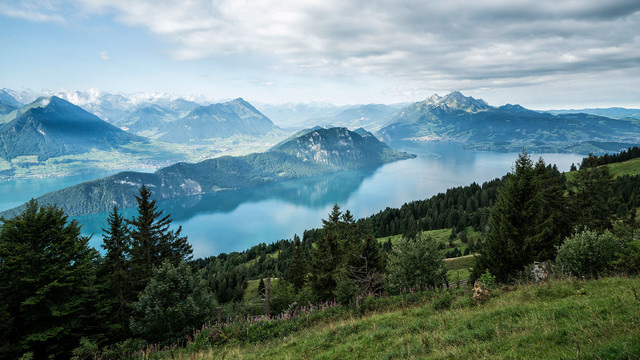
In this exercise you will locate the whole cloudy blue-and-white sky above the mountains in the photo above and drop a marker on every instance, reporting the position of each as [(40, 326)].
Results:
[(542, 54)]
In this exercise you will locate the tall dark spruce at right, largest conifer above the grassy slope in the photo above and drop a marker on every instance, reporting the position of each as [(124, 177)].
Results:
[(515, 224)]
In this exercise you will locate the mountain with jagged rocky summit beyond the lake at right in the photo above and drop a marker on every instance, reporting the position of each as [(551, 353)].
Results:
[(473, 122)]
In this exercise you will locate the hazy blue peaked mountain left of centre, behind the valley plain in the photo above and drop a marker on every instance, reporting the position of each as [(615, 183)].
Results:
[(236, 117)]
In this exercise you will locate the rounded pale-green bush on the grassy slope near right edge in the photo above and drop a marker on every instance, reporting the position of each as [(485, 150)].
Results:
[(586, 254)]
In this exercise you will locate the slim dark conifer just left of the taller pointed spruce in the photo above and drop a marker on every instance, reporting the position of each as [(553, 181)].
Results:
[(115, 274)]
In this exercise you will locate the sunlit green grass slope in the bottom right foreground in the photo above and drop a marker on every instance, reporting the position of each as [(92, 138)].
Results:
[(594, 319)]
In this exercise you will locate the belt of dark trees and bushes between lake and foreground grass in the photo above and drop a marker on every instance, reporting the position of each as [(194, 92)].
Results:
[(59, 297)]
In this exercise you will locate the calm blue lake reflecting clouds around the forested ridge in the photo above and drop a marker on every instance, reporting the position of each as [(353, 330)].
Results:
[(236, 220)]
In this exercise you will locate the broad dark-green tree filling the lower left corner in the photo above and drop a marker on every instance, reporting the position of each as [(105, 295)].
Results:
[(47, 284)]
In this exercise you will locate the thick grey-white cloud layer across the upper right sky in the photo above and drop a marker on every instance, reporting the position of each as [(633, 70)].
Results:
[(440, 42)]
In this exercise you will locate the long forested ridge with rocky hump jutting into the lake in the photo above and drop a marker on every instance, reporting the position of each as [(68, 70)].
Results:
[(320, 152)]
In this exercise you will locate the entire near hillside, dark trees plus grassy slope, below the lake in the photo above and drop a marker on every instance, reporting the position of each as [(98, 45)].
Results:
[(146, 296)]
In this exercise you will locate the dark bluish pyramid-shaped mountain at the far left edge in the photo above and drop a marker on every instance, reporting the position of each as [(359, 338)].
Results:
[(52, 127)]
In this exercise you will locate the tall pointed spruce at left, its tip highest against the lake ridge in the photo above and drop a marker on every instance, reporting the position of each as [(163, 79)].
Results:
[(152, 241)]
